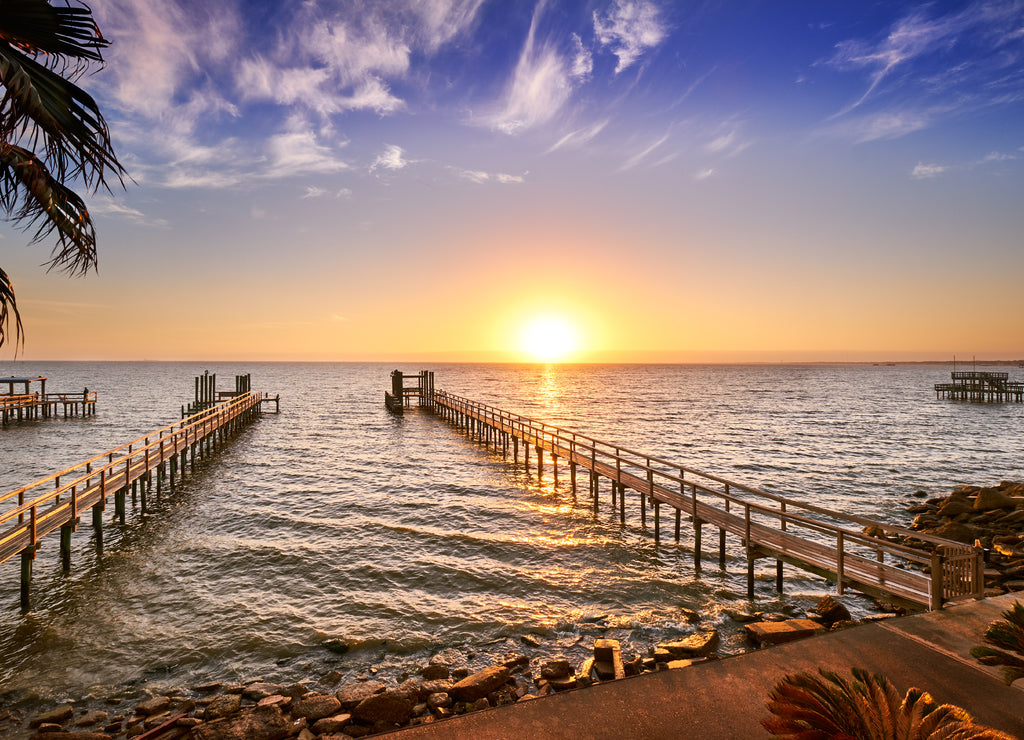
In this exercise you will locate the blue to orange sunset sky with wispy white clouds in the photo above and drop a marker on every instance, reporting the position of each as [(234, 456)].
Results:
[(668, 182)]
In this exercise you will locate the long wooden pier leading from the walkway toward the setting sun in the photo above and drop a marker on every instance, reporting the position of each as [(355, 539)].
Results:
[(855, 552)]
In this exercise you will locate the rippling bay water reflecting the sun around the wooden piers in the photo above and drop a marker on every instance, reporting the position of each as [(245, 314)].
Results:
[(334, 520)]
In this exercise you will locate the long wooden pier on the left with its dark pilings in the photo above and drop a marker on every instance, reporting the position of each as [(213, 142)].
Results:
[(57, 503)]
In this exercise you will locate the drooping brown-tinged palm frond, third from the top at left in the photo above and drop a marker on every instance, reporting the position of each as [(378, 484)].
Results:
[(29, 193)]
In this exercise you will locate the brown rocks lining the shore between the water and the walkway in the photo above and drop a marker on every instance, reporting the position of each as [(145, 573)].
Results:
[(328, 709)]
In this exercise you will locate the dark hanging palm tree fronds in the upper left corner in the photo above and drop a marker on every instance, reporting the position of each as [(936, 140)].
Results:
[(52, 133)]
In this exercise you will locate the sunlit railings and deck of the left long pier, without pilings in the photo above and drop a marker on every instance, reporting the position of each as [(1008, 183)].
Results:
[(194, 427)]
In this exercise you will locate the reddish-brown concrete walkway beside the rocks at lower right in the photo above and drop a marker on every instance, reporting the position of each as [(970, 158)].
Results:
[(727, 699)]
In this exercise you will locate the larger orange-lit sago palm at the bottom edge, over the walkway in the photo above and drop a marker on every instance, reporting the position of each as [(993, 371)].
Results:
[(816, 708)]
